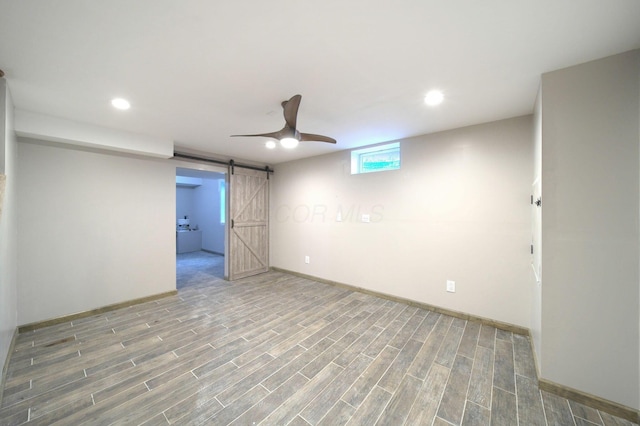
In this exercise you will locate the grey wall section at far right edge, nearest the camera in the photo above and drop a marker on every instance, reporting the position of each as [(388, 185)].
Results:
[(590, 291)]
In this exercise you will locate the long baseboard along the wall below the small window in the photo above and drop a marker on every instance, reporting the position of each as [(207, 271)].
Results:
[(456, 314)]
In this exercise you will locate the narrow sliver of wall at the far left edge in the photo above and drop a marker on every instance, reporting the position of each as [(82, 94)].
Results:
[(8, 225)]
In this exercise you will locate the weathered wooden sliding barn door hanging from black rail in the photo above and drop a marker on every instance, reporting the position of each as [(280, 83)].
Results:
[(249, 223)]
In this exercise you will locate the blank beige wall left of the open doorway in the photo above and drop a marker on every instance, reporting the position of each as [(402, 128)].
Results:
[(94, 229)]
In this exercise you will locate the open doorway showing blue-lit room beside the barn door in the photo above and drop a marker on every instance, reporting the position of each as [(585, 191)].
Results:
[(201, 210)]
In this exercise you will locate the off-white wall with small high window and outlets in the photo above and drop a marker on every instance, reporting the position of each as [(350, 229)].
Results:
[(457, 210)]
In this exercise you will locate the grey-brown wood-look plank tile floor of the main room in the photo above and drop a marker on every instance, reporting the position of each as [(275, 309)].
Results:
[(276, 349)]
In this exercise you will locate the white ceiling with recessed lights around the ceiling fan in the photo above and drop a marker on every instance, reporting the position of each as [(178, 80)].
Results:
[(198, 71)]
